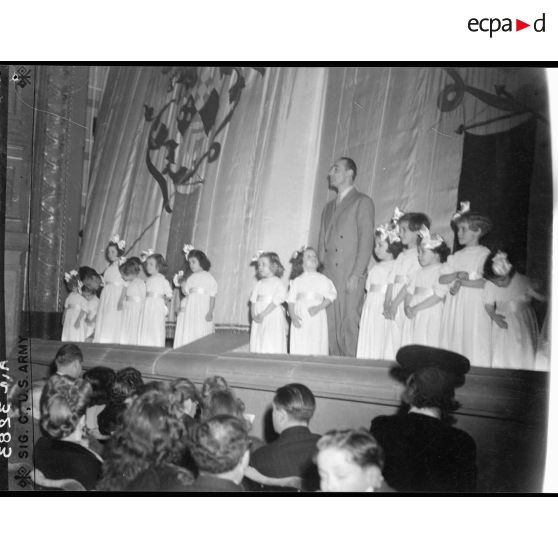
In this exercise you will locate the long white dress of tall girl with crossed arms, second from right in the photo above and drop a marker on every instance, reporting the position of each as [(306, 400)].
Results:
[(465, 324)]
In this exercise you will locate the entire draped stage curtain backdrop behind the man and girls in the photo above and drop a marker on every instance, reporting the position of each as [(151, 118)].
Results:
[(265, 186)]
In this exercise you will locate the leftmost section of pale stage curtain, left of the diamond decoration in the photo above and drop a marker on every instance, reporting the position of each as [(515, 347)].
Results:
[(123, 198)]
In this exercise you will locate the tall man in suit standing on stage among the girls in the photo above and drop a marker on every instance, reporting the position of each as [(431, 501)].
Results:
[(345, 246)]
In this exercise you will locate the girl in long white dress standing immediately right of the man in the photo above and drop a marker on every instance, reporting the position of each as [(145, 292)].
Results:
[(373, 323)]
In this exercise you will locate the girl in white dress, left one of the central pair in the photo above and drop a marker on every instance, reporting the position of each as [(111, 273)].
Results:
[(268, 332)]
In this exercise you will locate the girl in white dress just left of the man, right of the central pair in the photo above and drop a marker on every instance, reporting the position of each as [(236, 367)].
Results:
[(310, 293)]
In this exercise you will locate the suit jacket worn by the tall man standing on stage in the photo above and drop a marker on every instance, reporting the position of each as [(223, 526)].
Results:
[(347, 237)]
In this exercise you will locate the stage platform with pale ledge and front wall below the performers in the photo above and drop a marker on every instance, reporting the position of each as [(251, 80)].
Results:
[(505, 411)]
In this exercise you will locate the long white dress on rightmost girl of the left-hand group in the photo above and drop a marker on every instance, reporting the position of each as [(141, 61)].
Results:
[(190, 322)]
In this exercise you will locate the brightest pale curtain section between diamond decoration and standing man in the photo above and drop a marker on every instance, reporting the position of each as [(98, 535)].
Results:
[(258, 196)]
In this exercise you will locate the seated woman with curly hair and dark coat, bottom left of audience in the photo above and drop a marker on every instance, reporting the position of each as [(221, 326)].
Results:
[(62, 452)]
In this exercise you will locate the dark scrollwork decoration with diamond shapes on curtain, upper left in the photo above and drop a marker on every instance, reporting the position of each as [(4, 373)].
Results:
[(196, 127)]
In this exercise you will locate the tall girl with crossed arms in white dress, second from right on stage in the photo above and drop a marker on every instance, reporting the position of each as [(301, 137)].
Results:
[(465, 324)]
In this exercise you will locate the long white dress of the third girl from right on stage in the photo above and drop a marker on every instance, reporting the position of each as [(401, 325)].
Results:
[(424, 328)]
